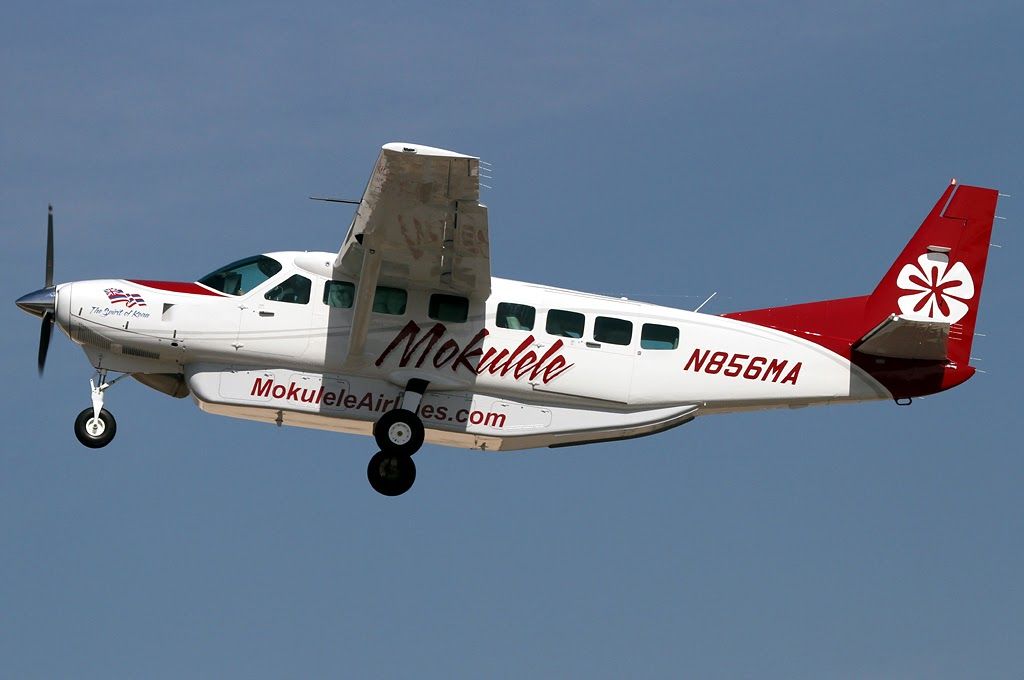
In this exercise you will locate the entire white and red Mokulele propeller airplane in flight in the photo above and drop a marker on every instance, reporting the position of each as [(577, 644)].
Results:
[(405, 335)]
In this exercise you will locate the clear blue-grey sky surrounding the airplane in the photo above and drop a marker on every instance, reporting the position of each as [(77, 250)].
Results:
[(661, 151)]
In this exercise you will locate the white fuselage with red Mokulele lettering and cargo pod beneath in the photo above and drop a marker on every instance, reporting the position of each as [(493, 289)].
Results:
[(498, 381)]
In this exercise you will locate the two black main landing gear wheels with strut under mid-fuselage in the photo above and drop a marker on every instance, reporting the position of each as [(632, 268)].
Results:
[(400, 435)]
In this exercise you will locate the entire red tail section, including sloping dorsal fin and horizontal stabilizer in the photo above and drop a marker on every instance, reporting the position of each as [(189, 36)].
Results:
[(937, 279)]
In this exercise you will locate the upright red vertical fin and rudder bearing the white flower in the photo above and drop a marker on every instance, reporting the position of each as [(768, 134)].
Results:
[(938, 276)]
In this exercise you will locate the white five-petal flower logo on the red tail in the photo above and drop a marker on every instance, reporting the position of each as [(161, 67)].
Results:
[(941, 292)]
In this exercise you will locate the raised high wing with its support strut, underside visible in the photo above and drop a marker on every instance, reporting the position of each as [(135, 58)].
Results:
[(420, 223)]
